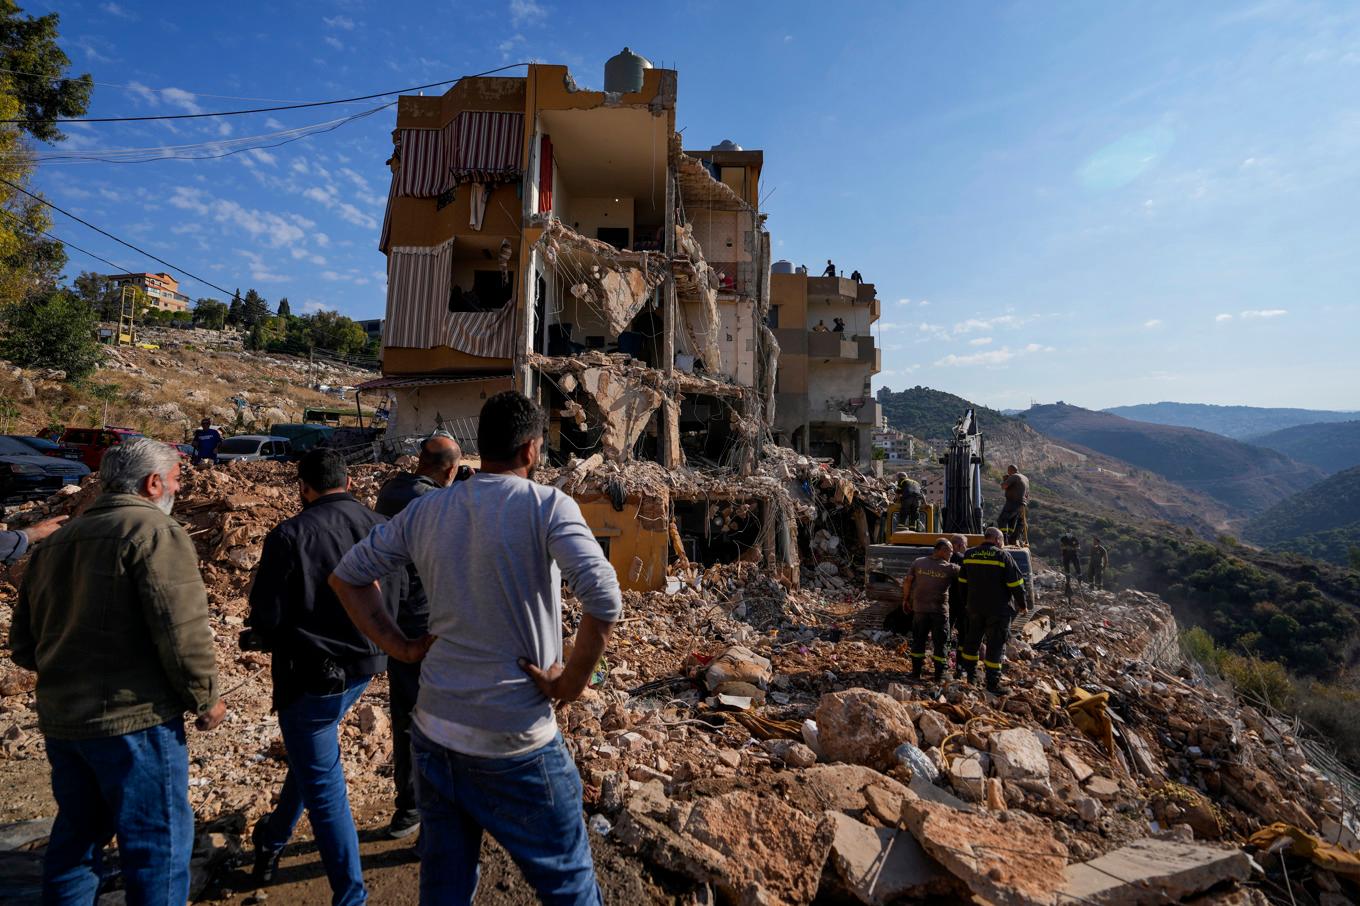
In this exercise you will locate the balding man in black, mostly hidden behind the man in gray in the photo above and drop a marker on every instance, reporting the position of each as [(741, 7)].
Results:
[(440, 456)]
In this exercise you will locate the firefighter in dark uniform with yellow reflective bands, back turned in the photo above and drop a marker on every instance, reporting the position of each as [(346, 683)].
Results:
[(996, 594)]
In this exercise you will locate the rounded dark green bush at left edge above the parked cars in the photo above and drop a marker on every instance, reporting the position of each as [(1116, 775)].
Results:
[(52, 331)]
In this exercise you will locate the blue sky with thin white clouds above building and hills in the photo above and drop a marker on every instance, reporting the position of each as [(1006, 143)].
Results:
[(1104, 203)]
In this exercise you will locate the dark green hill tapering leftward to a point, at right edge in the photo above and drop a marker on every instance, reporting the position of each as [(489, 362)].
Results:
[(1324, 522)]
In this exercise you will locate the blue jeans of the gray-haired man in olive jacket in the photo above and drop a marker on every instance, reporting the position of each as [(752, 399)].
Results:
[(135, 787)]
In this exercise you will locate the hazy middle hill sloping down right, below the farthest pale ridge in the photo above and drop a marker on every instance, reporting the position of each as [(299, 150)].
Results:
[(1246, 478)]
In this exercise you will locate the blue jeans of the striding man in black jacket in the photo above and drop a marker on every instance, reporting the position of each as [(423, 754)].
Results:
[(311, 731)]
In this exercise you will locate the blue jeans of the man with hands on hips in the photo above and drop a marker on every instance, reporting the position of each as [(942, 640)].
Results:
[(531, 805)]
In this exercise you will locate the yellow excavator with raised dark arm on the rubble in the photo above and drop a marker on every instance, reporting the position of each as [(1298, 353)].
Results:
[(961, 514)]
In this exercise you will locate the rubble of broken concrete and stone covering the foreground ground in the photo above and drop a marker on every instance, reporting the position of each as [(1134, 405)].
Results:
[(1110, 775)]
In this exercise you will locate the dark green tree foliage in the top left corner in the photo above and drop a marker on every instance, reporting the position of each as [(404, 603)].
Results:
[(44, 95)]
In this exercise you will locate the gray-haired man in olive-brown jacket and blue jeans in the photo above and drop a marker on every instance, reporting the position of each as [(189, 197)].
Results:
[(114, 617)]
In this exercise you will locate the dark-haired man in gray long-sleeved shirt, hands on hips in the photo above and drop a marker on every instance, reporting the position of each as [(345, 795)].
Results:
[(493, 553)]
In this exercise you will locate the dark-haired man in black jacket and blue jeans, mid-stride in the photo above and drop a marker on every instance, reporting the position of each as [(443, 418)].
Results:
[(322, 666)]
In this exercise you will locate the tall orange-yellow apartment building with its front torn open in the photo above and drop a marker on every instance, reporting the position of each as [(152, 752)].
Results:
[(560, 241)]
